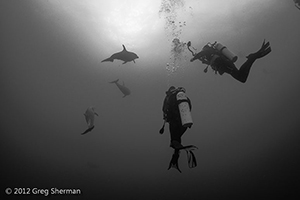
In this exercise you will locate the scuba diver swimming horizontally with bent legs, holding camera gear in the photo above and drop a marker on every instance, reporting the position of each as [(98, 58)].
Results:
[(222, 60)]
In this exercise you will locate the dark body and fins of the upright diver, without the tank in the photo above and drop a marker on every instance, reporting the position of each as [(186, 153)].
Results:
[(171, 115)]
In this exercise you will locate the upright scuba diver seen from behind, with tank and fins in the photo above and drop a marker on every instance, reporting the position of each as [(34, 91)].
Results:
[(176, 112)]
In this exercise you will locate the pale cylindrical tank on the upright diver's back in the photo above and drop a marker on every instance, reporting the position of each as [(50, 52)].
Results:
[(184, 109)]
